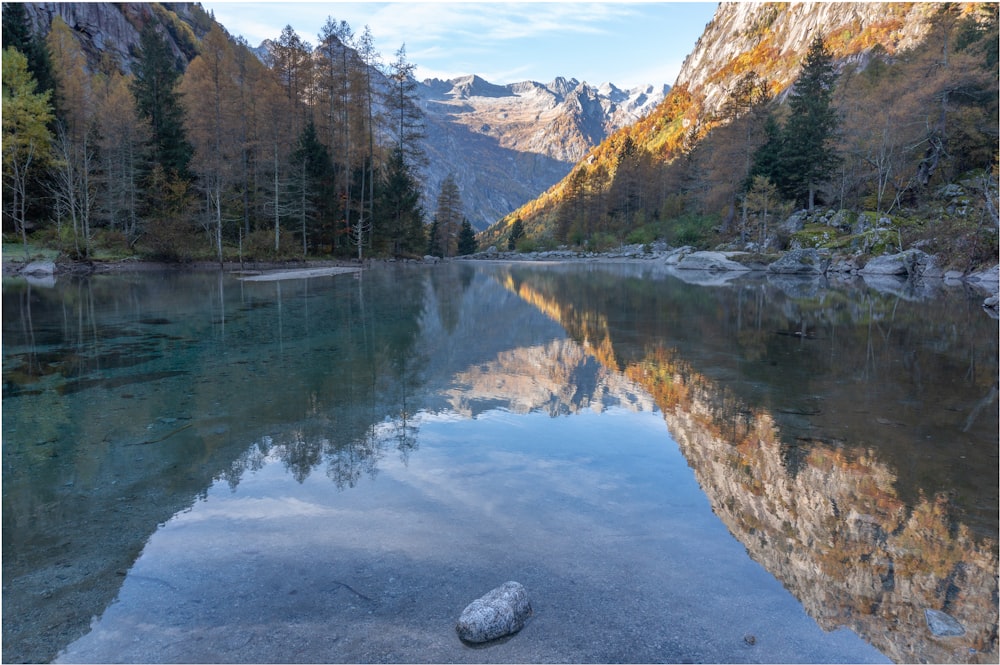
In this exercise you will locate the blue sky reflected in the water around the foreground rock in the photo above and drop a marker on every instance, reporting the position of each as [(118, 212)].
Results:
[(597, 514)]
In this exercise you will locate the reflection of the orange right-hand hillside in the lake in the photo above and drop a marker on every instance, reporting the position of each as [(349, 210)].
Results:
[(847, 439)]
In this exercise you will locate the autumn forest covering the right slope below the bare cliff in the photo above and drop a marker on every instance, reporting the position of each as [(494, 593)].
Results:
[(884, 150)]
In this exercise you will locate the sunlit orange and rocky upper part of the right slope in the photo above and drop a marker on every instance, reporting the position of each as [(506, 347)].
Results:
[(768, 40)]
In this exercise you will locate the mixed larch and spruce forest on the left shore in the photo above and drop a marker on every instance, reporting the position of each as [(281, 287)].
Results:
[(303, 152)]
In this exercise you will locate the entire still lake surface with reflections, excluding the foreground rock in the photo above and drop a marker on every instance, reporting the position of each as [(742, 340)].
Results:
[(199, 468)]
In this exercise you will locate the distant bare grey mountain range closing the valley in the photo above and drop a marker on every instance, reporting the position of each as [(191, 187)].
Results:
[(506, 144)]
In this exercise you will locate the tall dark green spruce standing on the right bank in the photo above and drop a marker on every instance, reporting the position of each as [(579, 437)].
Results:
[(808, 155)]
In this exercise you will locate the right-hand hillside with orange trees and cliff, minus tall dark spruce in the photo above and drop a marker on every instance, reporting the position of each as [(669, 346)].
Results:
[(915, 97)]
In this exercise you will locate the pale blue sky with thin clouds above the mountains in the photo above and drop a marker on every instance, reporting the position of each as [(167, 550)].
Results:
[(625, 43)]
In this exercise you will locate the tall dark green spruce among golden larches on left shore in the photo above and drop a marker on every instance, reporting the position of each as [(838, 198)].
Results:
[(155, 90)]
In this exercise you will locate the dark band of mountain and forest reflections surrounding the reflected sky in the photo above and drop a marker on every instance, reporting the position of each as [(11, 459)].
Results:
[(846, 438)]
